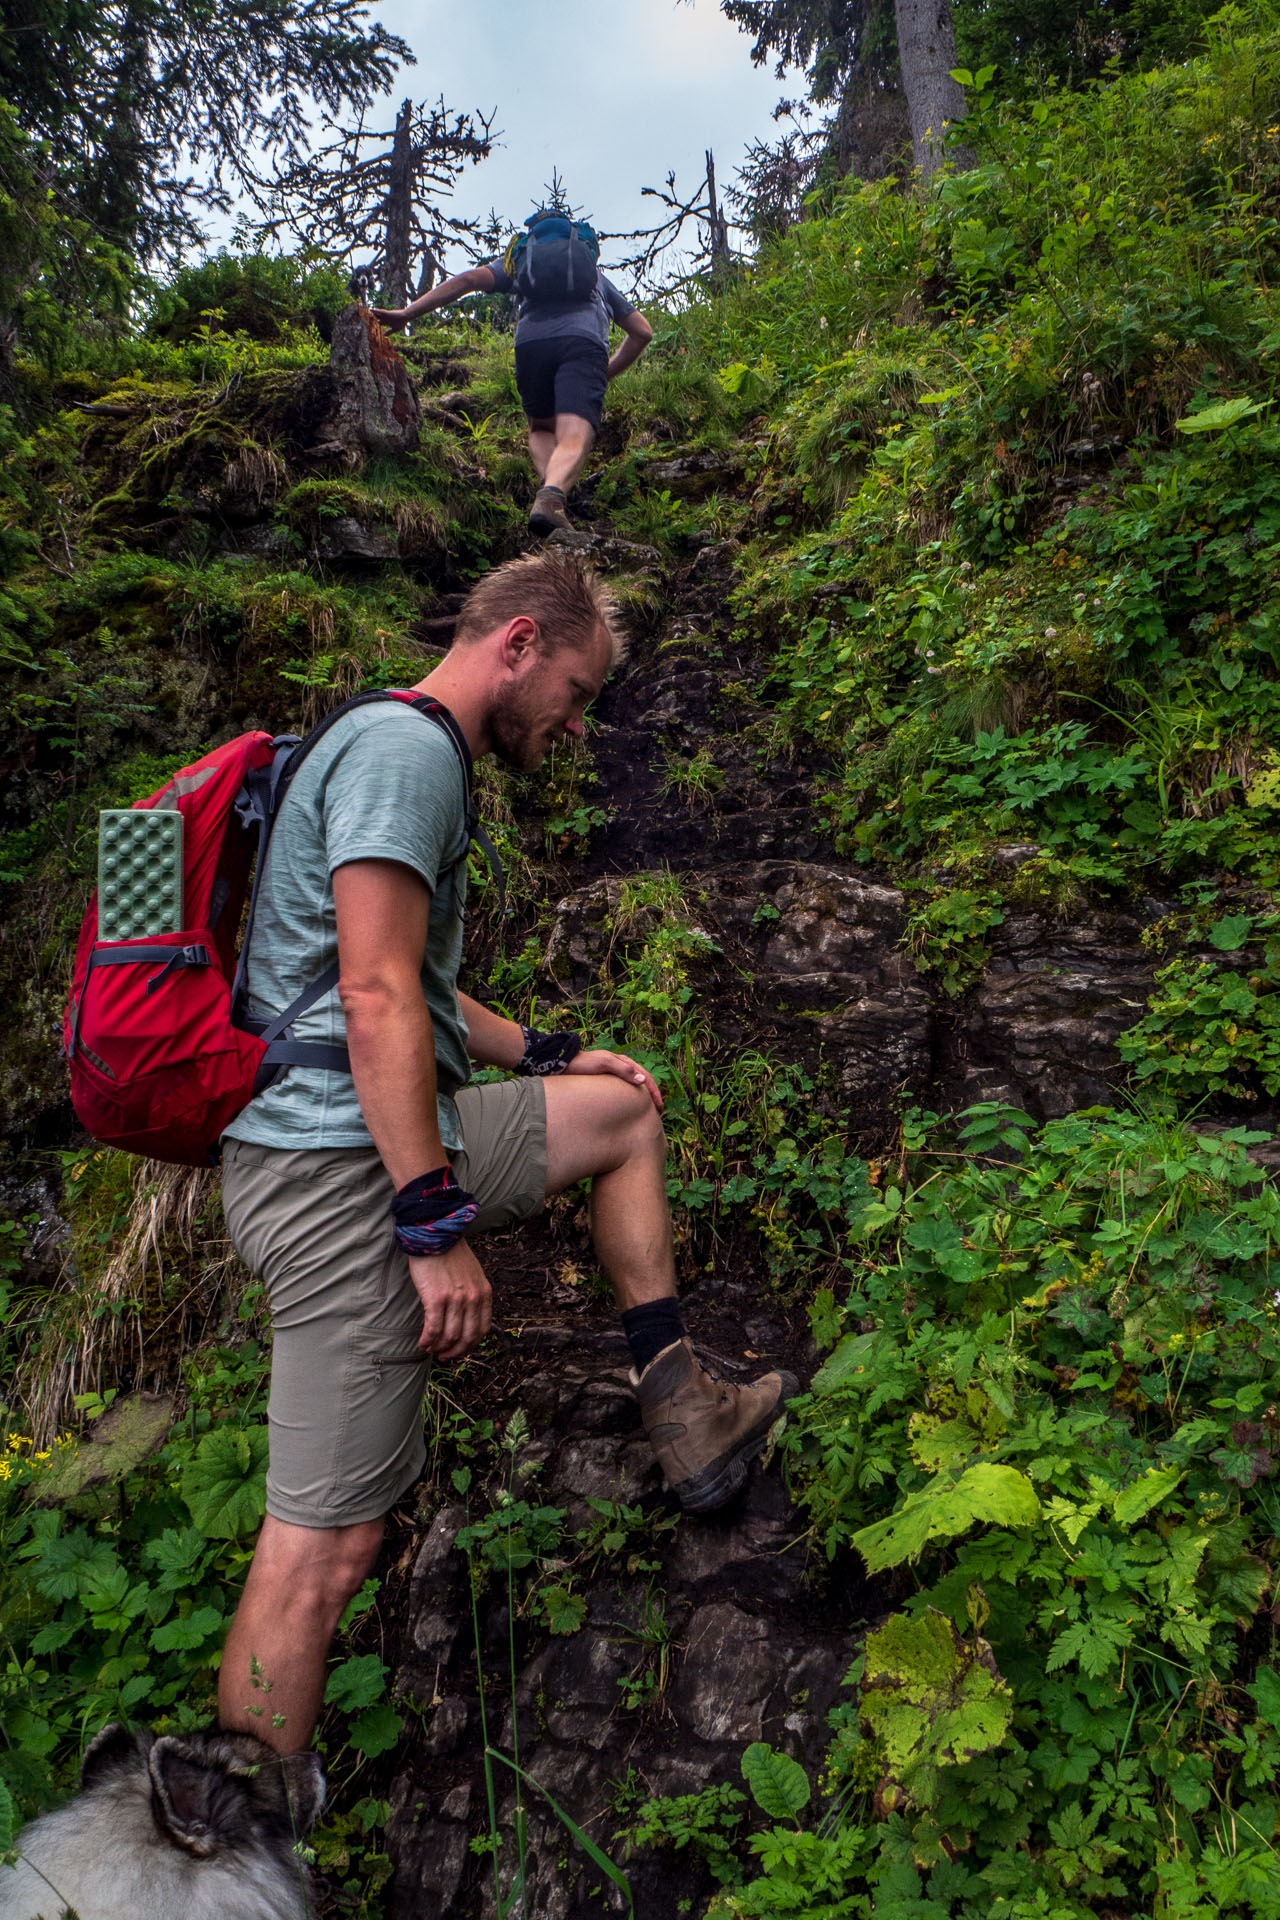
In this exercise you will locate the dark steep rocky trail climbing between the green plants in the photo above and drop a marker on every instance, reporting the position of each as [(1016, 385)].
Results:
[(699, 1635)]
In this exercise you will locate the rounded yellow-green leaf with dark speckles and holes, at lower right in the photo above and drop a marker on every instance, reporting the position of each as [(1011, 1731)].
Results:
[(934, 1700)]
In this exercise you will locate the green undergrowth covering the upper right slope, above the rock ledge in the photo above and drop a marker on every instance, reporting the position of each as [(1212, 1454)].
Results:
[(1016, 498)]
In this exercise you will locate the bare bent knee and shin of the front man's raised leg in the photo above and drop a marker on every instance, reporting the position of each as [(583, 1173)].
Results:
[(602, 1130)]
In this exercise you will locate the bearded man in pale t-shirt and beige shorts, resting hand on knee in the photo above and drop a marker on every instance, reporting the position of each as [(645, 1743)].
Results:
[(354, 1191)]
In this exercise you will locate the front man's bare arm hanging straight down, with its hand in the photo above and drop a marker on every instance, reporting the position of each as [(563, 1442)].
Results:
[(383, 917)]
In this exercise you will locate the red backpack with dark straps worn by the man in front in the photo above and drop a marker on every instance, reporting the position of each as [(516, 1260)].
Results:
[(160, 1047)]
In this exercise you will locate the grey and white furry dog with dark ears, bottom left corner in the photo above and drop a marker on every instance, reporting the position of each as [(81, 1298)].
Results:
[(183, 1827)]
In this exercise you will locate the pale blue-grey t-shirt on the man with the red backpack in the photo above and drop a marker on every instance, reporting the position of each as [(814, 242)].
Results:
[(385, 784)]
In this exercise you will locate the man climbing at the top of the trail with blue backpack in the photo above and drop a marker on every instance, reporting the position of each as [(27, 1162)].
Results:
[(563, 360)]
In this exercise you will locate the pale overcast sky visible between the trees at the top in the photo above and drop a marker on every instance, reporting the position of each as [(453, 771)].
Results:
[(613, 95)]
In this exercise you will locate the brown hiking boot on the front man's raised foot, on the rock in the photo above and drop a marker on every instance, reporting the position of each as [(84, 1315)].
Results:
[(705, 1431)]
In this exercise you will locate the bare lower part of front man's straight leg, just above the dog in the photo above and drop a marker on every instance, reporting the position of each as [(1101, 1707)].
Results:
[(273, 1664)]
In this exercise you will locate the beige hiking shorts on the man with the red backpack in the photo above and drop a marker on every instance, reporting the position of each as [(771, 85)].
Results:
[(346, 1374)]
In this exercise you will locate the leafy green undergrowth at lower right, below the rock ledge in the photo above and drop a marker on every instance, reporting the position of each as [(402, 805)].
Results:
[(1045, 1429)]
